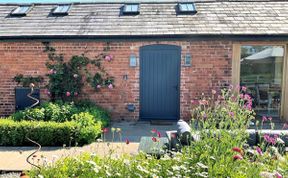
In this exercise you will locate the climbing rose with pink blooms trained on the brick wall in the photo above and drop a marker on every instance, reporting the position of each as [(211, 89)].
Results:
[(67, 78)]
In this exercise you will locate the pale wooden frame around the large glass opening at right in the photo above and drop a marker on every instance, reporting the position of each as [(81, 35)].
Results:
[(235, 80)]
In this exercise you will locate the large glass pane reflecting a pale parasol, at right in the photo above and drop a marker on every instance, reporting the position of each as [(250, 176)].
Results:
[(261, 73)]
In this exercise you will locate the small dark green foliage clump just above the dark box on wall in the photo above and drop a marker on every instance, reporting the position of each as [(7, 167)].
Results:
[(25, 81)]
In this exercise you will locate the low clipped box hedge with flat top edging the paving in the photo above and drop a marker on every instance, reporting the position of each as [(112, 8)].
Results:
[(70, 133)]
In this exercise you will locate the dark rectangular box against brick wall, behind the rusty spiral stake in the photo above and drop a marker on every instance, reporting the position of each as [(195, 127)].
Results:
[(22, 101)]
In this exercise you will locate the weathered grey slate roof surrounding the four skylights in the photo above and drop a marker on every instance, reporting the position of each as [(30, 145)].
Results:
[(103, 19)]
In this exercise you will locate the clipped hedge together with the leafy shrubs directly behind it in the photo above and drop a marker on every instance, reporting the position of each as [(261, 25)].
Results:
[(54, 124)]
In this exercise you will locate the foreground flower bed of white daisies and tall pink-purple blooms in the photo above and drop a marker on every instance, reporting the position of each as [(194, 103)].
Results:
[(221, 151)]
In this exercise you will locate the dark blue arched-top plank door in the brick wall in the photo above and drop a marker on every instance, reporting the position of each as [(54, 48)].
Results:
[(160, 82)]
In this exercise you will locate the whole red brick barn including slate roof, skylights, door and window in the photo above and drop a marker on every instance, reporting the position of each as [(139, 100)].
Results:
[(165, 54)]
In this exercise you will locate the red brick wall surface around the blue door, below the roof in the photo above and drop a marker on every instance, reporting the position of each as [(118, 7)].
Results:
[(211, 68)]
